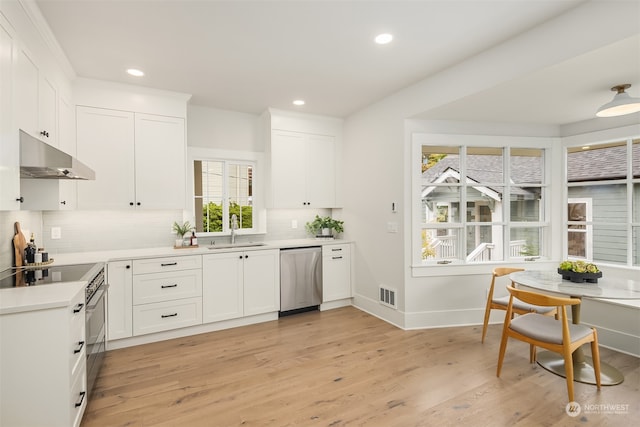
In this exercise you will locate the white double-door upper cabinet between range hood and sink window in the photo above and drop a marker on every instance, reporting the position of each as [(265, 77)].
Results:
[(139, 160)]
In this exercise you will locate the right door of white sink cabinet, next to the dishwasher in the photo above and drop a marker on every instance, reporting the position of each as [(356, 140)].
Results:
[(261, 281)]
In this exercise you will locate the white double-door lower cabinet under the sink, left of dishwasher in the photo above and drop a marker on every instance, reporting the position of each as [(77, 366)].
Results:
[(237, 284)]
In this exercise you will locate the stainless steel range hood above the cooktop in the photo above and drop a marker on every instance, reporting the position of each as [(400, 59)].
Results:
[(41, 160)]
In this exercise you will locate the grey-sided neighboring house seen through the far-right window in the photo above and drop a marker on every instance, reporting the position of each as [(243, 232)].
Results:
[(603, 195)]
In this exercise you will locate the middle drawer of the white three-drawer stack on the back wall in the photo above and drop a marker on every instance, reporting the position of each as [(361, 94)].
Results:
[(157, 287)]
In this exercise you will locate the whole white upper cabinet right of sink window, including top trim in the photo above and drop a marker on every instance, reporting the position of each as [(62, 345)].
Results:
[(303, 161)]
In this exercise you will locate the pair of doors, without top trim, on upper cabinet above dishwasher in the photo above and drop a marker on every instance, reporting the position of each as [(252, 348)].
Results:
[(302, 170)]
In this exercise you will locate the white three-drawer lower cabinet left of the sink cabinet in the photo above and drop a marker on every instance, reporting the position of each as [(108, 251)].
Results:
[(167, 293)]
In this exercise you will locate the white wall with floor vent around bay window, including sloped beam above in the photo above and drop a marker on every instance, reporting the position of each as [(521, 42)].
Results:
[(377, 155)]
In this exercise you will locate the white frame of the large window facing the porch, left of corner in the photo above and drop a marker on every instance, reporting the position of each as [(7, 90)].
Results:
[(418, 139)]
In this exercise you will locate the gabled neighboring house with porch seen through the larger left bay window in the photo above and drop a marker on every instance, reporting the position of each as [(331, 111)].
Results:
[(482, 203)]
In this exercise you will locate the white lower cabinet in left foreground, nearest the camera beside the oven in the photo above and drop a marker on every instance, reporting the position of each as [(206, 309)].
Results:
[(43, 366)]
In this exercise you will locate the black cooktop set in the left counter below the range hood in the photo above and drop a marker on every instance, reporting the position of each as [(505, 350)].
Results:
[(45, 275)]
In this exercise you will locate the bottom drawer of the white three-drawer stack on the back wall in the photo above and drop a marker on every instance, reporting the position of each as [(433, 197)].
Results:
[(163, 316)]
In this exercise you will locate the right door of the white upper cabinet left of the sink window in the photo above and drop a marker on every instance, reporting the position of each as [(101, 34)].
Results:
[(160, 162)]
